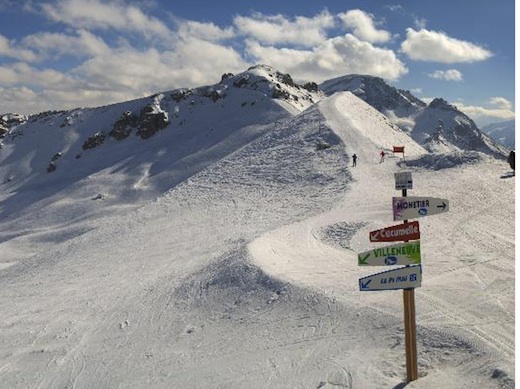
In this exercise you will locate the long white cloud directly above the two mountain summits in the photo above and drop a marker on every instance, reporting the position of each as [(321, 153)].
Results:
[(333, 57)]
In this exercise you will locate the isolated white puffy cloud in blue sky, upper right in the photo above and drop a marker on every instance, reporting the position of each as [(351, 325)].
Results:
[(424, 45)]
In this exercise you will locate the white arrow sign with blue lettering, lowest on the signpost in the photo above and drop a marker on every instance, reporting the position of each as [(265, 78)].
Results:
[(401, 278)]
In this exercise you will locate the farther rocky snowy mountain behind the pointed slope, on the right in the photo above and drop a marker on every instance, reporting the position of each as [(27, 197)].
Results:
[(438, 126)]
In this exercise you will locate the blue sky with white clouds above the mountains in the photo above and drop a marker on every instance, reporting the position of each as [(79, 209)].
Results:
[(80, 53)]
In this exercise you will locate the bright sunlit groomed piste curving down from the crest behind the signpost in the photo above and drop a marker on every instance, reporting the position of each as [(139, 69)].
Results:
[(459, 295)]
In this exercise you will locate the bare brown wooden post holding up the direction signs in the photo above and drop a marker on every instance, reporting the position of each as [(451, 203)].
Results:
[(410, 332)]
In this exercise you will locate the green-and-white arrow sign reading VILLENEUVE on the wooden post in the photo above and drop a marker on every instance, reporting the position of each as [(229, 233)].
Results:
[(398, 254)]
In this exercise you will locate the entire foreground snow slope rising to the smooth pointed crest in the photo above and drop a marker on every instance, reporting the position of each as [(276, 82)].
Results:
[(245, 274)]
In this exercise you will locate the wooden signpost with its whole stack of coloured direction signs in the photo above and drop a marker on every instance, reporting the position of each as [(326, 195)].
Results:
[(408, 253)]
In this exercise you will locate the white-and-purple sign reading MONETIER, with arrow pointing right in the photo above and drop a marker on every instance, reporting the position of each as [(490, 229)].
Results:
[(413, 207)]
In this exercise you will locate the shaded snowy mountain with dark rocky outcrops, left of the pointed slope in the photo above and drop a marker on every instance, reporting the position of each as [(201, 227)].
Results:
[(157, 142)]
